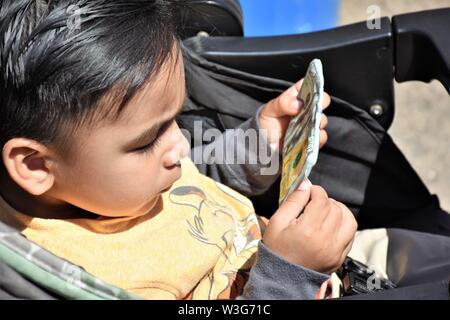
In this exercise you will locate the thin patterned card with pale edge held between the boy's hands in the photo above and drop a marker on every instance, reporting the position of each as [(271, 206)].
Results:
[(301, 142)]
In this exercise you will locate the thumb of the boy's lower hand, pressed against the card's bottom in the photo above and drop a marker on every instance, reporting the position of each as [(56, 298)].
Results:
[(291, 208)]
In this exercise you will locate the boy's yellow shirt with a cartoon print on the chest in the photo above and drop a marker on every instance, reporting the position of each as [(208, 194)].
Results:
[(200, 246)]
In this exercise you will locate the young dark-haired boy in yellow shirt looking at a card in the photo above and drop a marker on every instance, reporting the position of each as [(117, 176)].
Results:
[(94, 166)]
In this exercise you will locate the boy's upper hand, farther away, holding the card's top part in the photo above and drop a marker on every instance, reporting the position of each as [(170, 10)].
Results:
[(278, 112)]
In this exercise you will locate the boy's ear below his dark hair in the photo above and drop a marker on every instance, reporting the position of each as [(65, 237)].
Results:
[(29, 164)]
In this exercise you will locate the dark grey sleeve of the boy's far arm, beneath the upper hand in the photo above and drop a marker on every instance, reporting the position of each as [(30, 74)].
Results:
[(240, 158)]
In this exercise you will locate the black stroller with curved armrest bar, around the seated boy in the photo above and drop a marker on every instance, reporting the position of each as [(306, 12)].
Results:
[(360, 165)]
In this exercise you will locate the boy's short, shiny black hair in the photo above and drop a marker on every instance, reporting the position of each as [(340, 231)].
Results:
[(59, 58)]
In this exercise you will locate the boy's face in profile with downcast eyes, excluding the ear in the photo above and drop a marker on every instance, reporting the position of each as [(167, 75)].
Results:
[(114, 173)]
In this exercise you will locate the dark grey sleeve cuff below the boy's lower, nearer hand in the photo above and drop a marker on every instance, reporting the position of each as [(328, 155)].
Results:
[(274, 278)]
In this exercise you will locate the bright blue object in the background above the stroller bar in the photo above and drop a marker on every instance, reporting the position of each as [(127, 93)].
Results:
[(281, 17)]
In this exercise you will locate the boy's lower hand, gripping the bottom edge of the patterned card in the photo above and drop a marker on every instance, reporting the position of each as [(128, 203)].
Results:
[(320, 238)]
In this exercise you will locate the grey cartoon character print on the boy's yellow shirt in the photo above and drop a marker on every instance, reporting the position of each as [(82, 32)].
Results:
[(236, 243)]
